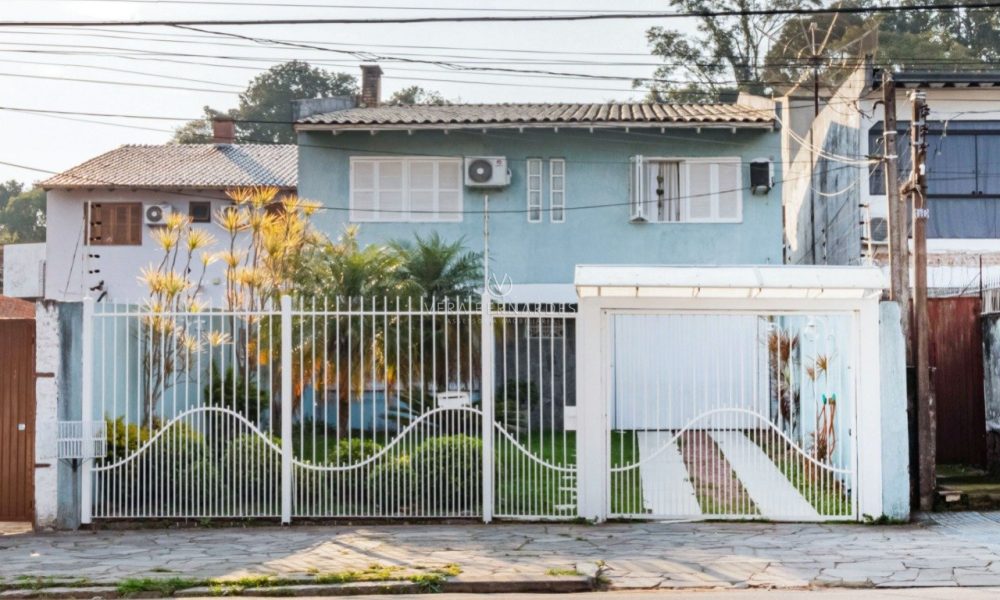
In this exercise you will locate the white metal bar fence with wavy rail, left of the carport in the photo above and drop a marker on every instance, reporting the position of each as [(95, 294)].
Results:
[(362, 408)]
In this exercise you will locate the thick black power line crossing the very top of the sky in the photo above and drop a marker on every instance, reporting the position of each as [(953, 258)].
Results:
[(608, 16)]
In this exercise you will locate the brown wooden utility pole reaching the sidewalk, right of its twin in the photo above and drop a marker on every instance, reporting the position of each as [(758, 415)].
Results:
[(926, 409)]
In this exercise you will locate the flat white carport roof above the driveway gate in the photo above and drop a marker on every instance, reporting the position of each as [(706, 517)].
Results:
[(757, 281)]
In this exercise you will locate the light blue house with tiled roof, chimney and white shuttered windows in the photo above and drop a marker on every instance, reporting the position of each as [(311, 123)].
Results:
[(583, 181)]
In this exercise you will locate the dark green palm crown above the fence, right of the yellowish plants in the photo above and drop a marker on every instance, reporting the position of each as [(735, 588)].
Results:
[(432, 267)]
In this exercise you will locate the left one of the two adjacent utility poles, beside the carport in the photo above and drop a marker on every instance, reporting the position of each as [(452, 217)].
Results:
[(899, 260)]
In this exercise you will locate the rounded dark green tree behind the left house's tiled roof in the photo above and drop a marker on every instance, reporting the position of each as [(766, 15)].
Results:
[(264, 114)]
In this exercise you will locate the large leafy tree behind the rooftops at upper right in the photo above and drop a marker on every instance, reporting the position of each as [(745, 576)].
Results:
[(758, 53)]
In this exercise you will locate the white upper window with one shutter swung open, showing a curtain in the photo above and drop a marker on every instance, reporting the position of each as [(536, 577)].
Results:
[(686, 190)]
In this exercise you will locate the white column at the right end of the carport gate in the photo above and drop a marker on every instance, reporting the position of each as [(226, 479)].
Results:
[(868, 452)]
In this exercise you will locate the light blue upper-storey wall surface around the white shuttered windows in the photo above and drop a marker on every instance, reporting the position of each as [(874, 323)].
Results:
[(597, 173)]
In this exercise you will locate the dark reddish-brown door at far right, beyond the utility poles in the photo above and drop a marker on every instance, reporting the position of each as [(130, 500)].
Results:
[(956, 356)]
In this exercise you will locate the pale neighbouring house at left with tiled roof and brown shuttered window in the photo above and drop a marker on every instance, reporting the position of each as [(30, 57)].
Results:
[(102, 256)]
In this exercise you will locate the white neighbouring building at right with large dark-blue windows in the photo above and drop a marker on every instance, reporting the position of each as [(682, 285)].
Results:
[(848, 190)]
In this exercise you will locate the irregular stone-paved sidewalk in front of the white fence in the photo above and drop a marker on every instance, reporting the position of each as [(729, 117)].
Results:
[(950, 549)]
